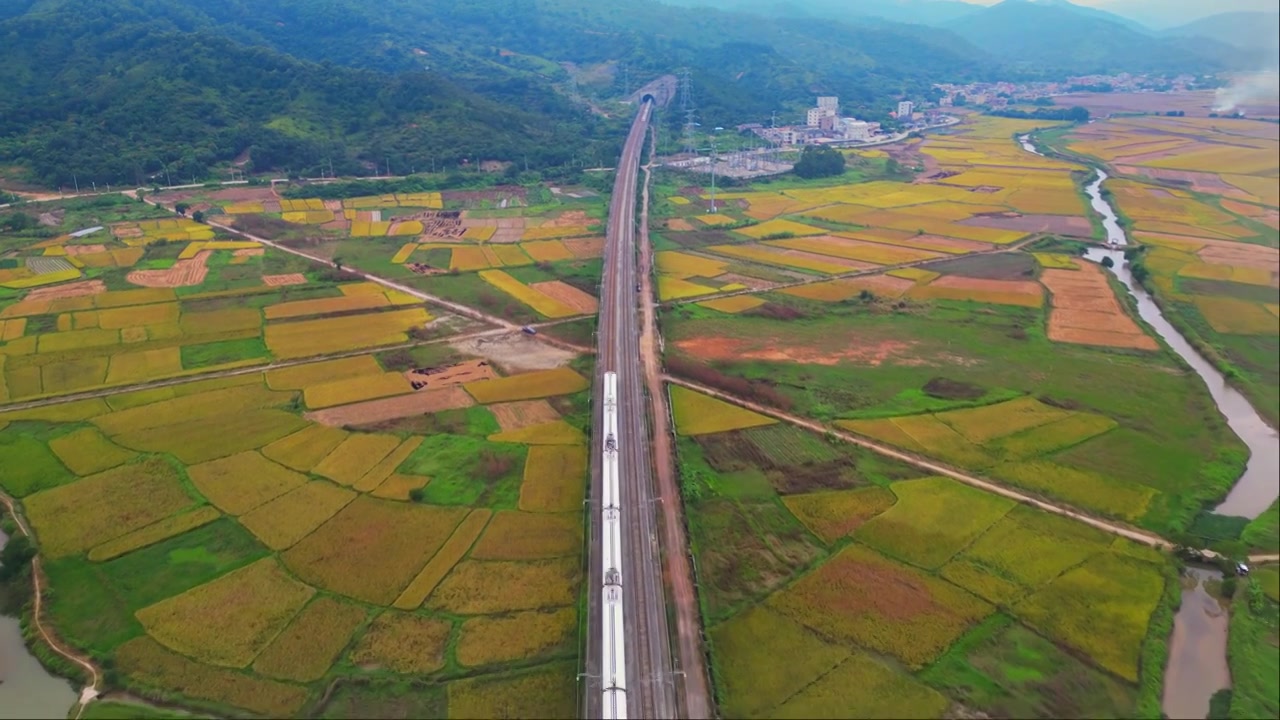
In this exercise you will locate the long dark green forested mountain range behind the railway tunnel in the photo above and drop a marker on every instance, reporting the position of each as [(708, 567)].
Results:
[(121, 90)]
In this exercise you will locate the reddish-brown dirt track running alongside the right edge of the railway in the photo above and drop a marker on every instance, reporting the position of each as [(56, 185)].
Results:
[(692, 663)]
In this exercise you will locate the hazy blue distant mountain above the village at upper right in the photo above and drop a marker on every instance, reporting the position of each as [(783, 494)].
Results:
[(1057, 35)]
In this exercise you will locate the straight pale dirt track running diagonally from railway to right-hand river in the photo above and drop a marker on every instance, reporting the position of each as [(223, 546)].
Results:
[(940, 470)]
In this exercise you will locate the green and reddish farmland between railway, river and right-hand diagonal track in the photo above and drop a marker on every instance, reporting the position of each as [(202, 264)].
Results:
[(973, 372)]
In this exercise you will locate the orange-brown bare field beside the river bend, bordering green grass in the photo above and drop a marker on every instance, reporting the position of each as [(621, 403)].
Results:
[(1086, 311)]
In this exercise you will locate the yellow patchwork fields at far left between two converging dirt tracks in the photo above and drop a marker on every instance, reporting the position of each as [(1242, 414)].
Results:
[(139, 308)]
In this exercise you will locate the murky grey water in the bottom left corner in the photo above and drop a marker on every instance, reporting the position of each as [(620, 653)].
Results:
[(26, 689)]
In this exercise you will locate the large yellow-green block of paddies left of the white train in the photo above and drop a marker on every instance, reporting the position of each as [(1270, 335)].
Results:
[(217, 545)]
